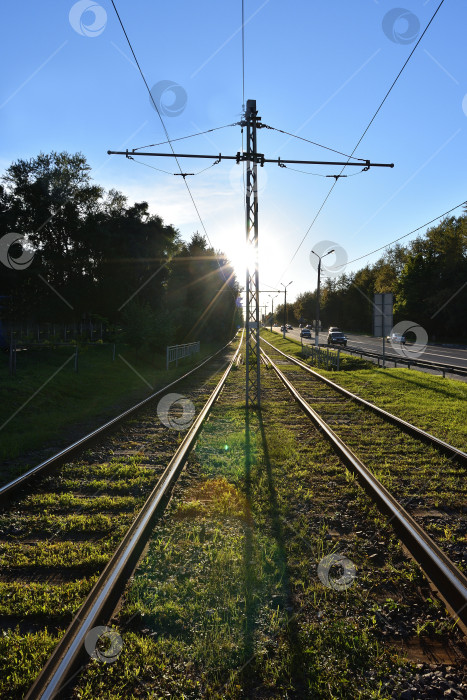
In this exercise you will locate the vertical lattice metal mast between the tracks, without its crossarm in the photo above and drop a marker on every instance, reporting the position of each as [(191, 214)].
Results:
[(253, 382)]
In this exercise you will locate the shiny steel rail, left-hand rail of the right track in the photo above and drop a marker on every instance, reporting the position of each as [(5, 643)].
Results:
[(449, 581)]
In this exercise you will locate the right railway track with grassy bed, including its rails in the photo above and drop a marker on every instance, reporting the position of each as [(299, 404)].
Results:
[(337, 414)]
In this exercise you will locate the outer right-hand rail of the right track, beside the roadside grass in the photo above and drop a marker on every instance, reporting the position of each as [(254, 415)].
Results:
[(400, 422)]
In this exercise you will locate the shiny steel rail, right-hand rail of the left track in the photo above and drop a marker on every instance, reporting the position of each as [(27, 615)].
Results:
[(69, 654)]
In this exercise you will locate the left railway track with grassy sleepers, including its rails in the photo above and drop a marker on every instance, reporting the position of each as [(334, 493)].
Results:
[(62, 521)]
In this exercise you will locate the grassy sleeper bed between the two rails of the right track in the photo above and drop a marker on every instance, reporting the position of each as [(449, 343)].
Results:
[(424, 473)]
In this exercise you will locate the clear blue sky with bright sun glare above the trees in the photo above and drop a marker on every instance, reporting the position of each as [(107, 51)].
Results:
[(317, 69)]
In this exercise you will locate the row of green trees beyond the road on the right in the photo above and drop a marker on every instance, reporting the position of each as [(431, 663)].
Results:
[(426, 278)]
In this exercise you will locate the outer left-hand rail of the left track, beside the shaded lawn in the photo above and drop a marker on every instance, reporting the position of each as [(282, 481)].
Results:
[(59, 458)]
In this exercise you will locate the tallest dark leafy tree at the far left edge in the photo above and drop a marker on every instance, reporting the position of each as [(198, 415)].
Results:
[(48, 200)]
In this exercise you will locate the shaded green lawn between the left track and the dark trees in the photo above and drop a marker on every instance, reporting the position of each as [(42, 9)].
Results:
[(50, 402)]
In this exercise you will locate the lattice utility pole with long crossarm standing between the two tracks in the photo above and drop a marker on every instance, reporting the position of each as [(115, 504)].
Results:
[(252, 122)]
